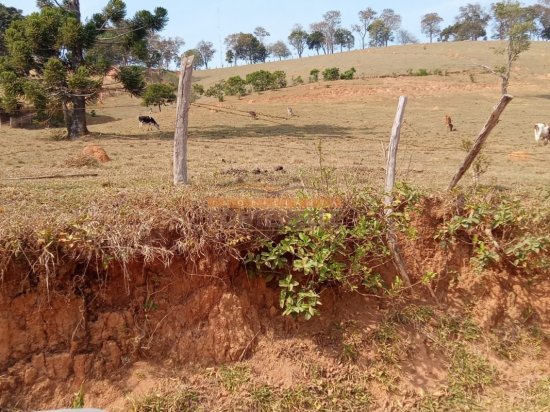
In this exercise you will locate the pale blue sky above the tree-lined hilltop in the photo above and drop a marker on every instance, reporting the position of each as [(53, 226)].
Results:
[(212, 20)]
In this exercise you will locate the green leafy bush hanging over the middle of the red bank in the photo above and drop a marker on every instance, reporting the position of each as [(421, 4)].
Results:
[(316, 249)]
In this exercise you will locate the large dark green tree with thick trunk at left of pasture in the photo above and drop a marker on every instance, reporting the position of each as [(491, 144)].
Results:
[(47, 61)]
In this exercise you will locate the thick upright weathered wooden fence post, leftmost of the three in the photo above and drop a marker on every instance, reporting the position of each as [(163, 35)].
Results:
[(182, 120)]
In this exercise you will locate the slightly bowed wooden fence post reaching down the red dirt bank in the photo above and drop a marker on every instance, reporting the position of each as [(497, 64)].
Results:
[(390, 181)]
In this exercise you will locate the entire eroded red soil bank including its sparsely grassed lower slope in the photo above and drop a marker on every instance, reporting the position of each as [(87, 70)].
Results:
[(205, 324)]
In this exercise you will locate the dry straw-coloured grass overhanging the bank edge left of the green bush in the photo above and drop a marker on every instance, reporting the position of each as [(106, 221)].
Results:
[(116, 226)]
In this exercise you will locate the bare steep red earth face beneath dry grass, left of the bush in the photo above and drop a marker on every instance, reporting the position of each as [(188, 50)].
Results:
[(84, 328)]
